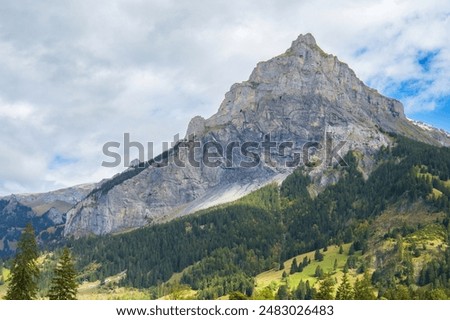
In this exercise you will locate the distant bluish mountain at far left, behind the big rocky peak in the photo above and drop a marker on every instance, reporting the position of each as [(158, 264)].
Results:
[(46, 211)]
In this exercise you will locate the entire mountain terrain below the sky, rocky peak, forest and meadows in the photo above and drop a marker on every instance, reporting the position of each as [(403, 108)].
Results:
[(328, 180)]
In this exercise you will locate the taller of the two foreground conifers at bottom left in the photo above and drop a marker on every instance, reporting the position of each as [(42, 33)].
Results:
[(24, 271)]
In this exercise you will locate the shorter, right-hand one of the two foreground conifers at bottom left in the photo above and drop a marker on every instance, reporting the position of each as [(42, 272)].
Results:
[(64, 283)]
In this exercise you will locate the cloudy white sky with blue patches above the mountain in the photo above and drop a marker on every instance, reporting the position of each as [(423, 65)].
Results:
[(75, 75)]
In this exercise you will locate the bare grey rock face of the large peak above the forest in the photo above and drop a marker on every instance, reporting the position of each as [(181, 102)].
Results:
[(306, 105)]
